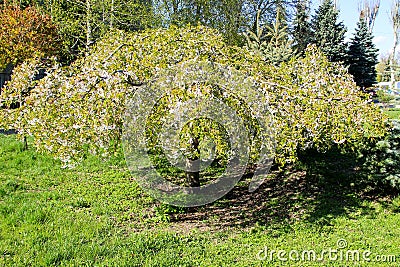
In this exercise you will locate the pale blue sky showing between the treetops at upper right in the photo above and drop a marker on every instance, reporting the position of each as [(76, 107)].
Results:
[(349, 14)]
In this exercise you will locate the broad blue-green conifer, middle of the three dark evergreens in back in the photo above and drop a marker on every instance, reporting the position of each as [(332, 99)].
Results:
[(328, 33)]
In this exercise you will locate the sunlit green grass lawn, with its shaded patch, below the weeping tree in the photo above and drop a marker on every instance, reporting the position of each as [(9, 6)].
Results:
[(96, 215)]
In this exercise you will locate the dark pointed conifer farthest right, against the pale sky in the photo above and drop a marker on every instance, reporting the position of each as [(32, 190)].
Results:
[(362, 56)]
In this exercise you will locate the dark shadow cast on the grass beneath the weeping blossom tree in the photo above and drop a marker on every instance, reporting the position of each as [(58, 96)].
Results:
[(323, 187)]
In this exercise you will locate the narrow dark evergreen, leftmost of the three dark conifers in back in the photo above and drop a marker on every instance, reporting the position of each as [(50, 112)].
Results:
[(301, 27)]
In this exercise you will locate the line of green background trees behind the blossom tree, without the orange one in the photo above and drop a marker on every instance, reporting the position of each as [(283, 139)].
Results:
[(279, 29)]
